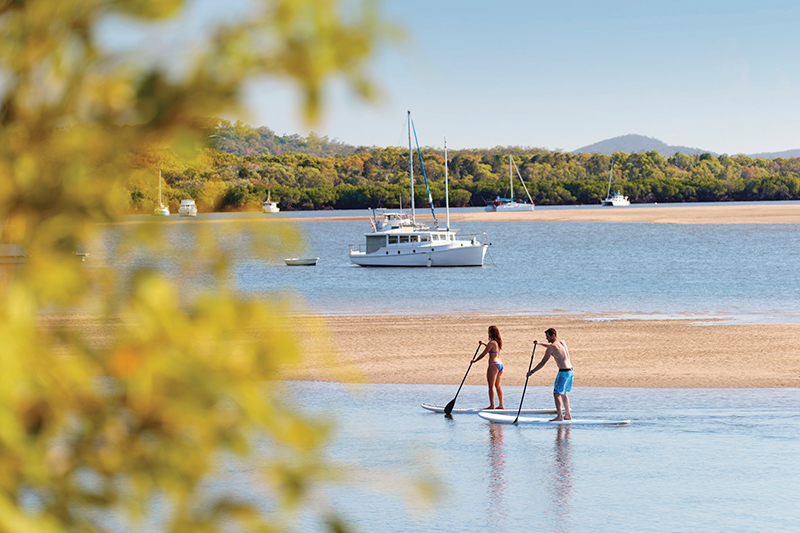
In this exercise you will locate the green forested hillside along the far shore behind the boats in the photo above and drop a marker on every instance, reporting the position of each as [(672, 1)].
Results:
[(241, 165)]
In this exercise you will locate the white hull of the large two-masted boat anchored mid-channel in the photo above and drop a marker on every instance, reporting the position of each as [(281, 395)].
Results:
[(462, 254)]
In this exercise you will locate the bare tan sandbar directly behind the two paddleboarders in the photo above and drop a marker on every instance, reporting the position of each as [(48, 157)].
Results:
[(436, 349)]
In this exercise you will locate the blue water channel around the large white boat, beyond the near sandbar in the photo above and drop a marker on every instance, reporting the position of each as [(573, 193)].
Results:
[(744, 273)]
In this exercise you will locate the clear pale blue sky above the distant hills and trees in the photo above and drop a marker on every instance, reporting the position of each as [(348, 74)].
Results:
[(722, 76)]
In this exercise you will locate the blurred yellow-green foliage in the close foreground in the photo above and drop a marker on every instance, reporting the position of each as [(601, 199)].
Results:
[(116, 389)]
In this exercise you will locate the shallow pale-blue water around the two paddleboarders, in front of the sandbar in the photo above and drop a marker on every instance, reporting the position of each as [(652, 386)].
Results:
[(721, 460)]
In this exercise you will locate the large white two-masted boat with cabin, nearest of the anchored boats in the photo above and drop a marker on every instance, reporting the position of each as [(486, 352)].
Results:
[(398, 240)]
